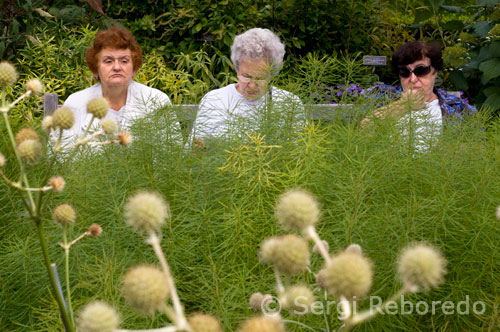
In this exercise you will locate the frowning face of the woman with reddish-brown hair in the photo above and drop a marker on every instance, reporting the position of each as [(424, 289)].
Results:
[(115, 67)]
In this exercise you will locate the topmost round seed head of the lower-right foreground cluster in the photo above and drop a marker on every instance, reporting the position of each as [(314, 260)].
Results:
[(297, 209)]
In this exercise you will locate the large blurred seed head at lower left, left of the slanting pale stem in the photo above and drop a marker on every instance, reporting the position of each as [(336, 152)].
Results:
[(145, 288)]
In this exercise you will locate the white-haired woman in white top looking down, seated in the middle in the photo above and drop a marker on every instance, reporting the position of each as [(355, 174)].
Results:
[(257, 56)]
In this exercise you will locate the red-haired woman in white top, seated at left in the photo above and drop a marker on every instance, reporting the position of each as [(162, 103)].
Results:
[(114, 58)]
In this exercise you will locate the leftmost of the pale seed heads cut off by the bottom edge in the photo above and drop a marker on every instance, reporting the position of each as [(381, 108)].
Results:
[(98, 317)]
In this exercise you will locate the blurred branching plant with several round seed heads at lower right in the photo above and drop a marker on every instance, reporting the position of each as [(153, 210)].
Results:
[(346, 275)]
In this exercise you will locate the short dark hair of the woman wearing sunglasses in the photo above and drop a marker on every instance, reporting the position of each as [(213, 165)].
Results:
[(417, 50)]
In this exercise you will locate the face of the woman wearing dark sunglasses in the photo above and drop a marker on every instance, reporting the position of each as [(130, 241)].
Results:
[(424, 83)]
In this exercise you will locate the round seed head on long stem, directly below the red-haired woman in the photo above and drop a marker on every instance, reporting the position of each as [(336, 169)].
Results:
[(146, 211)]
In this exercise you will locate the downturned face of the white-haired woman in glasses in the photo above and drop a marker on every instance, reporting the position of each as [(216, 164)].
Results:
[(253, 78)]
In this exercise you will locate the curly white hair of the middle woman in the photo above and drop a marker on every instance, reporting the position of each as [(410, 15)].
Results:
[(258, 43)]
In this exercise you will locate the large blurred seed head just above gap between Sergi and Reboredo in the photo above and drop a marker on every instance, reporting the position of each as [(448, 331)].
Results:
[(348, 274)]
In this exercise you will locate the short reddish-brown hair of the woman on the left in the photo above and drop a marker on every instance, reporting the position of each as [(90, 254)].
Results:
[(117, 38)]
